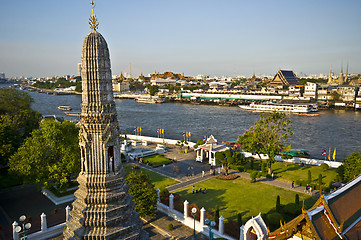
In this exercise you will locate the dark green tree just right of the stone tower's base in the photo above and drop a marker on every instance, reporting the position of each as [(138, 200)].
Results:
[(143, 192)]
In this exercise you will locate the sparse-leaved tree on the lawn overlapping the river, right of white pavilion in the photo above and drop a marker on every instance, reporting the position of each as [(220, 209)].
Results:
[(267, 136)]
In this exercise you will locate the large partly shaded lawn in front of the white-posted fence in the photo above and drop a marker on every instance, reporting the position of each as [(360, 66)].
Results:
[(240, 196)]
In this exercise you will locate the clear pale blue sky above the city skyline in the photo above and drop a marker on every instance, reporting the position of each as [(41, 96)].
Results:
[(211, 37)]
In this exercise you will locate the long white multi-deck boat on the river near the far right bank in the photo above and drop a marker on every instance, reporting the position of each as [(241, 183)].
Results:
[(281, 107)]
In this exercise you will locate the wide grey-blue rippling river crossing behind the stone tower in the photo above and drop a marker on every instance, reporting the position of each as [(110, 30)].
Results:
[(339, 129)]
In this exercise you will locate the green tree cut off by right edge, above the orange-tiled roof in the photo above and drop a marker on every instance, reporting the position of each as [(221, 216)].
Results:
[(351, 167)]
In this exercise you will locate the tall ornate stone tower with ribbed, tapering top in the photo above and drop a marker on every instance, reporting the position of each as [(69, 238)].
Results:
[(103, 209)]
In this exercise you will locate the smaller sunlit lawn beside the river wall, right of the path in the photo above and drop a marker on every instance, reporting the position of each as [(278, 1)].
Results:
[(293, 172)]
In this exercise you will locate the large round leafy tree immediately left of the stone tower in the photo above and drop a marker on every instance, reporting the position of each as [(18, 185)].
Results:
[(51, 153)]
